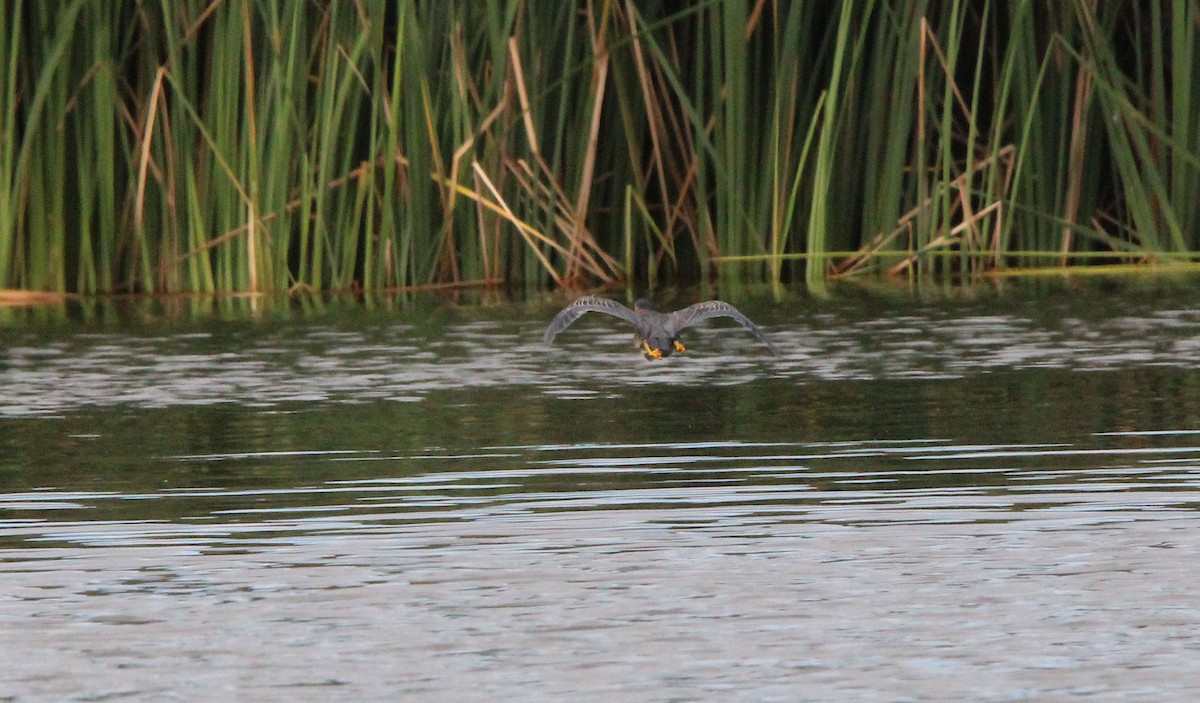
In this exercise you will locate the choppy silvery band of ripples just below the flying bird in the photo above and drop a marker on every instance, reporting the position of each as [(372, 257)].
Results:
[(315, 362)]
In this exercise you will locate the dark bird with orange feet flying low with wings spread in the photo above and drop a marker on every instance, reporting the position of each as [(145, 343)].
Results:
[(658, 334)]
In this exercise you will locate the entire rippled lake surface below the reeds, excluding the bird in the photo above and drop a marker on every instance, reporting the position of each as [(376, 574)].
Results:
[(968, 496)]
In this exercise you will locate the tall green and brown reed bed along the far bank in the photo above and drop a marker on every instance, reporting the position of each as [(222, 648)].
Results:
[(245, 146)]
